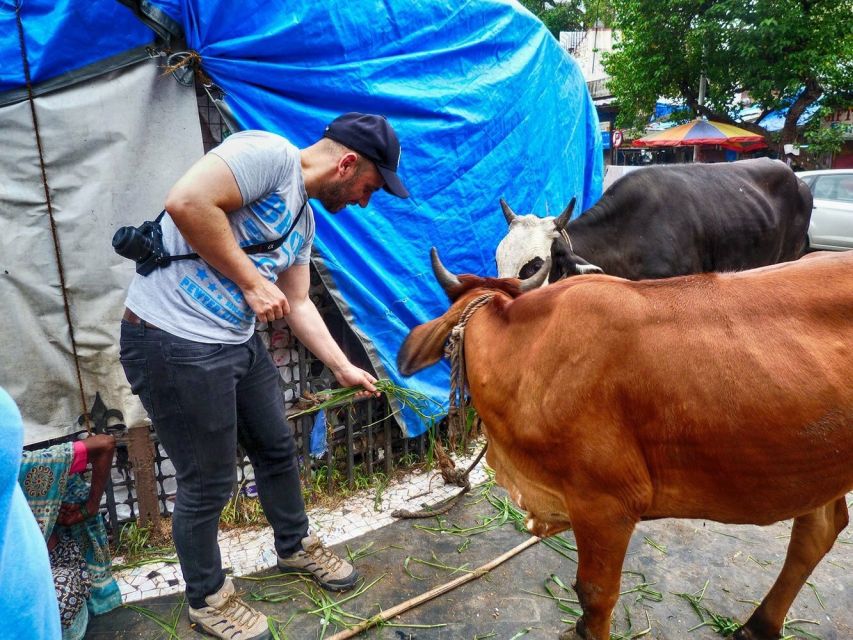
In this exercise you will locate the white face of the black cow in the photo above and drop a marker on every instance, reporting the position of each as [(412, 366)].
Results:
[(528, 240)]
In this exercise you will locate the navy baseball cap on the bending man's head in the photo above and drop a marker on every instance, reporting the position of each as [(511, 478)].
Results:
[(373, 137)]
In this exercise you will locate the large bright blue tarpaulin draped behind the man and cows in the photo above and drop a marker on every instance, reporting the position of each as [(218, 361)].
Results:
[(485, 102)]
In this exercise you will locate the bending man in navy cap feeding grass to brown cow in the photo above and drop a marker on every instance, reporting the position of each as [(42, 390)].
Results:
[(189, 349)]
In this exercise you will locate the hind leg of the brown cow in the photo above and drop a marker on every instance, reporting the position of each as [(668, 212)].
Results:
[(812, 536)]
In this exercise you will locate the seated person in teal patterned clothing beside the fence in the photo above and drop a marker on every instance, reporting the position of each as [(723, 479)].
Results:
[(66, 509)]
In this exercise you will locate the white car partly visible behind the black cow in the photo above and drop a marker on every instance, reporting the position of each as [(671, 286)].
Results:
[(831, 227)]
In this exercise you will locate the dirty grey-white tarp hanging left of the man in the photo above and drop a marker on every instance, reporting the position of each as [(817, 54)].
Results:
[(112, 147)]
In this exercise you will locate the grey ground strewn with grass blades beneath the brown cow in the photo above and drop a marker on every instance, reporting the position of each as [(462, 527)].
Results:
[(725, 570)]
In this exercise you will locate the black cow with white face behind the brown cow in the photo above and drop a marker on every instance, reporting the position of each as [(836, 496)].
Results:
[(669, 220)]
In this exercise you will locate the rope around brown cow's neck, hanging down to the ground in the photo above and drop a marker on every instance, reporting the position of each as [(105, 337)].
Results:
[(457, 415)]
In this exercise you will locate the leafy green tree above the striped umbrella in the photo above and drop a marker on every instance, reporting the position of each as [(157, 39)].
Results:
[(782, 53)]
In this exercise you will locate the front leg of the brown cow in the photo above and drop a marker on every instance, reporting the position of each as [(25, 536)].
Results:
[(602, 538)]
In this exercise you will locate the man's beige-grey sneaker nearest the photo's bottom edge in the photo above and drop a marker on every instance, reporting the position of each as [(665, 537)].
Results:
[(229, 618)]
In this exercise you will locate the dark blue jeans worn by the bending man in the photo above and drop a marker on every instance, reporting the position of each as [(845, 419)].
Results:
[(202, 398)]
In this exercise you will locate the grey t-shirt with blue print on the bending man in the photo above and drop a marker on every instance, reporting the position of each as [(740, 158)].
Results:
[(189, 298)]
